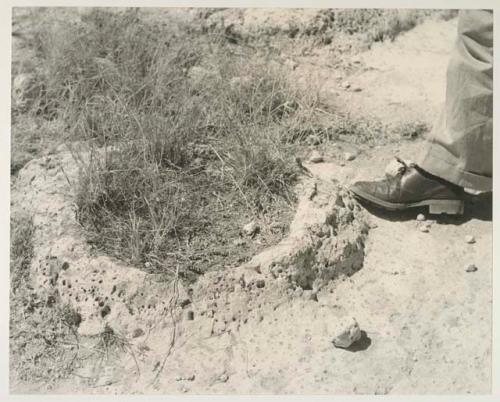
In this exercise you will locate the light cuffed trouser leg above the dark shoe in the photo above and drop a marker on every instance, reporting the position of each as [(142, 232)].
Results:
[(460, 146)]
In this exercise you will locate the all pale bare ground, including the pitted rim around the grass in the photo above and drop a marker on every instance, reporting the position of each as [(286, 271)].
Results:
[(427, 321)]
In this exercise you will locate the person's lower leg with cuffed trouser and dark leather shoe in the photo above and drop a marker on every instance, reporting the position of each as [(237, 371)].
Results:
[(459, 152)]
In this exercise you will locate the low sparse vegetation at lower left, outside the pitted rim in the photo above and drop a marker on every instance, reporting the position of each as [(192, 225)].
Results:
[(42, 337)]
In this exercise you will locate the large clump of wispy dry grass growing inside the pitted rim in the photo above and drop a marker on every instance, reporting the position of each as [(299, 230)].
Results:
[(183, 135)]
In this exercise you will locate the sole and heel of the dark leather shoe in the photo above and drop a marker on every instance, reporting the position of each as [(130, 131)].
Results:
[(436, 207)]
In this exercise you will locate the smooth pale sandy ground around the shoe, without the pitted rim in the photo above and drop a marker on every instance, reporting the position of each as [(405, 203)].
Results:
[(426, 321)]
